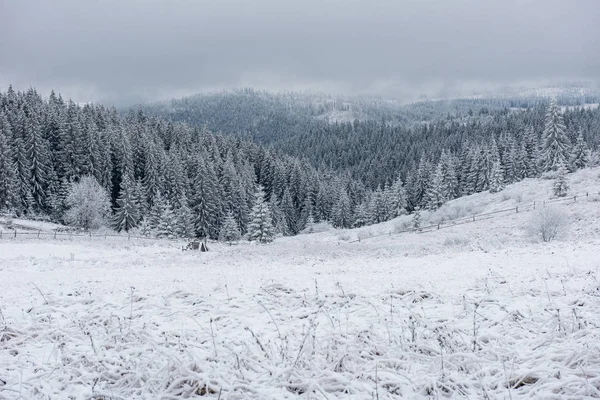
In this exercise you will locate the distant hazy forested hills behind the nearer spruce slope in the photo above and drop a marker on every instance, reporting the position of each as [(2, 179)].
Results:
[(386, 139)]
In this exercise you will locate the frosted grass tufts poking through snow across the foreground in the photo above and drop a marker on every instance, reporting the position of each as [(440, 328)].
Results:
[(492, 341)]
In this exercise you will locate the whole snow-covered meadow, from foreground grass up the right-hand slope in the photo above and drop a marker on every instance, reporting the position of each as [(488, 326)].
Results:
[(474, 311)]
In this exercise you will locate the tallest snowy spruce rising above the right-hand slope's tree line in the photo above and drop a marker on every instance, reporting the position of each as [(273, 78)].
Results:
[(555, 148)]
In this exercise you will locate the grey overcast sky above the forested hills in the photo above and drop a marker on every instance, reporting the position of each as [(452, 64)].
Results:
[(124, 51)]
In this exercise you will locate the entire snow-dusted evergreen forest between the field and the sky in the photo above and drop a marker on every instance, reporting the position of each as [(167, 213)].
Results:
[(204, 170)]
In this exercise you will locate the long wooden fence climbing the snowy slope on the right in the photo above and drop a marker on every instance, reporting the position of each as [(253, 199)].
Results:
[(479, 217)]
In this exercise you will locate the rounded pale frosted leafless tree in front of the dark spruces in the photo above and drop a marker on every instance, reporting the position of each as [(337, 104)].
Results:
[(88, 204)]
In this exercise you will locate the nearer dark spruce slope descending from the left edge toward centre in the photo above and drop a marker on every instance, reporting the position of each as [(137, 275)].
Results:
[(171, 178)]
